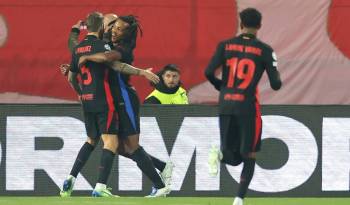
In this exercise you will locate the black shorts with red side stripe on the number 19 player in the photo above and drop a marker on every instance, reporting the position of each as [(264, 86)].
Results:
[(240, 133)]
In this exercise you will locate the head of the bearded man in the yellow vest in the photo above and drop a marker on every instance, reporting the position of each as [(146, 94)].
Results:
[(170, 75)]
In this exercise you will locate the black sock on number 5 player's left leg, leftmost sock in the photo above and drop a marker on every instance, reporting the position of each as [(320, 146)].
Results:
[(83, 156)]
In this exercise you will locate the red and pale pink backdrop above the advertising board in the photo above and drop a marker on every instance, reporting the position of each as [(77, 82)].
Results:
[(310, 39)]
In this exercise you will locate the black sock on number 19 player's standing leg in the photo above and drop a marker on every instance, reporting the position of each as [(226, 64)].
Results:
[(246, 176)]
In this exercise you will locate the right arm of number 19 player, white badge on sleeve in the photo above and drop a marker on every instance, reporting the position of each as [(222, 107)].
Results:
[(271, 69)]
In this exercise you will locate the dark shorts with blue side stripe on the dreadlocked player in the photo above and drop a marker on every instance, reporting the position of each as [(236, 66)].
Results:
[(128, 108)]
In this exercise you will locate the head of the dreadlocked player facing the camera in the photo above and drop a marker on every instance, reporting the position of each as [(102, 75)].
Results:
[(126, 29)]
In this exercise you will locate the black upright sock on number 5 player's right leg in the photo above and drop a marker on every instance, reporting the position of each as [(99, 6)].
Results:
[(105, 165)]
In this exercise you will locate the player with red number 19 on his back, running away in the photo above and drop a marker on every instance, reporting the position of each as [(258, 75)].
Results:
[(243, 59)]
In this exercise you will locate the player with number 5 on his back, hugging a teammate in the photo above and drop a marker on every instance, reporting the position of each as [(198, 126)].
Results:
[(99, 111)]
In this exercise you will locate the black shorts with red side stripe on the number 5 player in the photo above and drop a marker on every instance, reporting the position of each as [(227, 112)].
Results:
[(98, 123)]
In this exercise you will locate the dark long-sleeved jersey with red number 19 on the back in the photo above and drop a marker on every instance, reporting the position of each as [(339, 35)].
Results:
[(243, 60)]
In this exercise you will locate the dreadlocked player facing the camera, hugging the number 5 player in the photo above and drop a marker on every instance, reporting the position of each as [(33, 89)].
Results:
[(124, 34)]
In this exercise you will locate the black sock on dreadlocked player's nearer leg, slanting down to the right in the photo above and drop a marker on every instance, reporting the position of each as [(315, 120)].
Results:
[(144, 162)]
